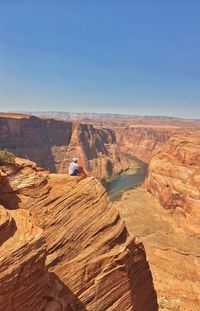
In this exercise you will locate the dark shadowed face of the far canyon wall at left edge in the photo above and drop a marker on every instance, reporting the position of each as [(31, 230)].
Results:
[(42, 141)]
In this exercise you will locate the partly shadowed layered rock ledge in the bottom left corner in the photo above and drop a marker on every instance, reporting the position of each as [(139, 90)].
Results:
[(25, 283)]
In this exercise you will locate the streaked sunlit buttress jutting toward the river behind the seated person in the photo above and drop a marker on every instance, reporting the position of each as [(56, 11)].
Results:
[(96, 149)]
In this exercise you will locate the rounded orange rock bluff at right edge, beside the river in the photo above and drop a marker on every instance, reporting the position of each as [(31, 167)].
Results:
[(174, 178)]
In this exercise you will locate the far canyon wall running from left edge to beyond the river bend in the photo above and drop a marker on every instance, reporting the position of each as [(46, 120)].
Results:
[(103, 152)]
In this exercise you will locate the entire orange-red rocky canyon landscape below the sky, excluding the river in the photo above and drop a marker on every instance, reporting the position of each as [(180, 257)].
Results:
[(113, 255)]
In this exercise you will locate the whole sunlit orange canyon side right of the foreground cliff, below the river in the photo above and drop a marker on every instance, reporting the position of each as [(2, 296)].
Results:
[(165, 214)]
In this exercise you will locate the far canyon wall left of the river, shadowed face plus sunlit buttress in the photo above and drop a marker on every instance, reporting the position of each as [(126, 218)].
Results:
[(53, 143)]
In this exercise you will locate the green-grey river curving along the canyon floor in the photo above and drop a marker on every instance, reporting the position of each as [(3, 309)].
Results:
[(129, 179)]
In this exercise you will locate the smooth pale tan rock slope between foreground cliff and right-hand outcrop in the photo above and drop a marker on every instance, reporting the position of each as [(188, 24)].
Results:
[(173, 254)]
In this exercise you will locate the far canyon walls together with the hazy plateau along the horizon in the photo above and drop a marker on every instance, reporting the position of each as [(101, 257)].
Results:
[(105, 144)]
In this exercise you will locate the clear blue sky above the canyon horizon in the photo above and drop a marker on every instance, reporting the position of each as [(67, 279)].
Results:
[(132, 57)]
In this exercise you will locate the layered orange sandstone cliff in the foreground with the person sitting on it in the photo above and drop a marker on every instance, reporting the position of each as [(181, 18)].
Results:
[(93, 264)]
